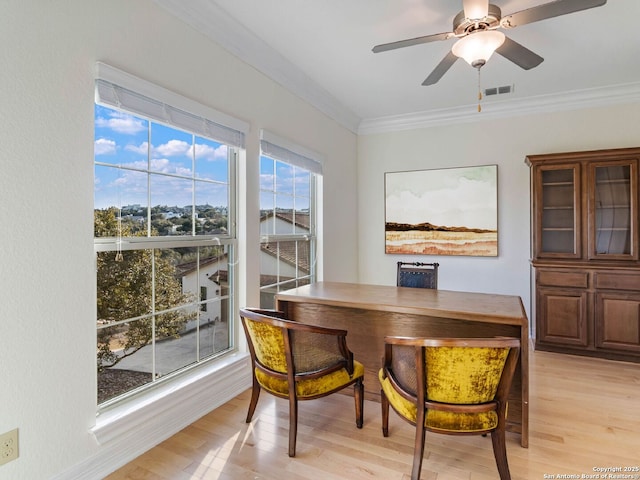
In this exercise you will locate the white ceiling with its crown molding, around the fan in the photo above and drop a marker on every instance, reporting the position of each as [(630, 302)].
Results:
[(321, 50)]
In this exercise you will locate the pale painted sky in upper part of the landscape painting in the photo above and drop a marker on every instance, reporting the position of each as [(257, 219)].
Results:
[(452, 197)]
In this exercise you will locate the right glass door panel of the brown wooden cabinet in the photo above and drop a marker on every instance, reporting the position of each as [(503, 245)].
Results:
[(612, 210)]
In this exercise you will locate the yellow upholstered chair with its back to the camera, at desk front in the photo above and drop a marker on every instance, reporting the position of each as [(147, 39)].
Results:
[(450, 385)]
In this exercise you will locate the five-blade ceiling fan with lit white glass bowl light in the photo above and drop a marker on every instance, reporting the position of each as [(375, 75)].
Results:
[(477, 29)]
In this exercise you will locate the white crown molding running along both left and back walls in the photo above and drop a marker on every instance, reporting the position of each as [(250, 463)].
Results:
[(215, 23)]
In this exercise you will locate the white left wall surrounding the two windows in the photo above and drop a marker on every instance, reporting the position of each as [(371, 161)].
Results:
[(47, 334)]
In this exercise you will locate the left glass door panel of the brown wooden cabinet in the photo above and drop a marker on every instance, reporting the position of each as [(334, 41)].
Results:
[(559, 212)]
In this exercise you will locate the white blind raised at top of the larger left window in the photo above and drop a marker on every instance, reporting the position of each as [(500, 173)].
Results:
[(121, 90)]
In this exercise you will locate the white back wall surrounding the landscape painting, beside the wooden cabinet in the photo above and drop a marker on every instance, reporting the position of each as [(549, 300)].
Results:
[(504, 142)]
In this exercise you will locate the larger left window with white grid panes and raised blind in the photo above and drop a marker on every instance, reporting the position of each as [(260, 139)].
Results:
[(165, 214)]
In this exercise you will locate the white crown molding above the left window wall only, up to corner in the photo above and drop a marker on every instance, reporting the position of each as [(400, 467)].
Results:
[(215, 23)]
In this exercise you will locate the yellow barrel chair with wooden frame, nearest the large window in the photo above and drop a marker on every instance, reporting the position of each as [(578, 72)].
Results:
[(297, 361)]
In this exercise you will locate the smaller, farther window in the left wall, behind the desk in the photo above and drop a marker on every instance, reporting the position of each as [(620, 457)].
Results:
[(288, 180)]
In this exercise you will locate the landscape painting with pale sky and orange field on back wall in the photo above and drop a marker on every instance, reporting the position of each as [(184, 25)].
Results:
[(451, 211)]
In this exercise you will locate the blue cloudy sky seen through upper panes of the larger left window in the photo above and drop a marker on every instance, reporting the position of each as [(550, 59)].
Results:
[(167, 154)]
